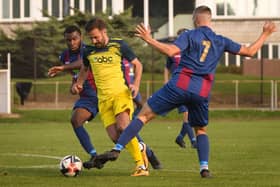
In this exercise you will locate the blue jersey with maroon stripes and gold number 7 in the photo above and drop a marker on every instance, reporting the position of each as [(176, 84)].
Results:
[(195, 74)]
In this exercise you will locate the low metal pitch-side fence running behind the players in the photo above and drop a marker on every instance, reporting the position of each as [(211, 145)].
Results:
[(226, 94)]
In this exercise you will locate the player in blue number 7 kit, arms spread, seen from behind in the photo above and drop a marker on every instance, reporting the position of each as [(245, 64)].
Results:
[(191, 82)]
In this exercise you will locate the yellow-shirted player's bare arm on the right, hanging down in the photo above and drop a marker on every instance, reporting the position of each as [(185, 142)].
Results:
[(138, 69)]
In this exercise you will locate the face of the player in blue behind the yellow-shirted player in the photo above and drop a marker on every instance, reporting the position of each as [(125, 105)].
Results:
[(73, 40)]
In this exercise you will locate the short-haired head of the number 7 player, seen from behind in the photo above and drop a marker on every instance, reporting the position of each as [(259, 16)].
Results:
[(202, 16)]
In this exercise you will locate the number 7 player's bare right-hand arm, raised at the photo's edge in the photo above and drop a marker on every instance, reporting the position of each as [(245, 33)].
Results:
[(268, 28)]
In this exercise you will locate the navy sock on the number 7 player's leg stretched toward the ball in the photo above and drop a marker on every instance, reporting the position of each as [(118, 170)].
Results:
[(132, 130)]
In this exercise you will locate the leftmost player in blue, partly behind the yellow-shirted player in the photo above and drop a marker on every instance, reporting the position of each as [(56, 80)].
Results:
[(86, 107)]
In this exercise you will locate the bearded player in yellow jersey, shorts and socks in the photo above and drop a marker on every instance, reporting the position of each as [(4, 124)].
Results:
[(115, 102)]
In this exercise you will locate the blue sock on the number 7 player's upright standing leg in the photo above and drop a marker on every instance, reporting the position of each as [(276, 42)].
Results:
[(203, 150)]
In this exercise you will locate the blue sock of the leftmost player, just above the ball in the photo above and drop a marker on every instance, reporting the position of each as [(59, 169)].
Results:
[(84, 139)]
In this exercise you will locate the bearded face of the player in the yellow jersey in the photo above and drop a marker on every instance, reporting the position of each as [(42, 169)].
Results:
[(98, 37)]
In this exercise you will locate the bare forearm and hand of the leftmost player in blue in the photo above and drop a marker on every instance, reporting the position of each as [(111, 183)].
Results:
[(53, 71)]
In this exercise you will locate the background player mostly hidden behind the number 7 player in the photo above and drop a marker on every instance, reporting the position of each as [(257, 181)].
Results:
[(170, 66)]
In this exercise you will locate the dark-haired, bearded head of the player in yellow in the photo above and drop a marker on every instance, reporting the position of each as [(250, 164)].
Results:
[(97, 32)]
